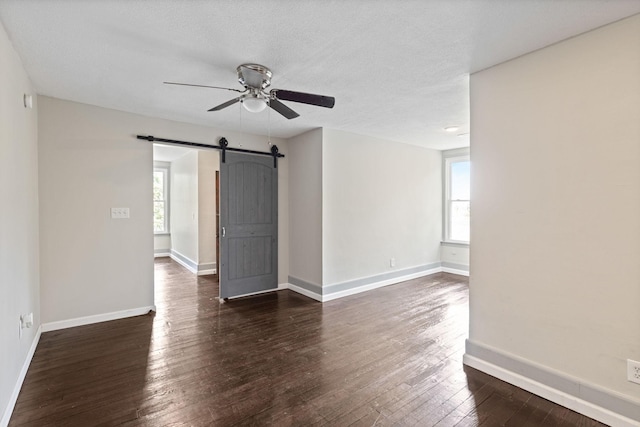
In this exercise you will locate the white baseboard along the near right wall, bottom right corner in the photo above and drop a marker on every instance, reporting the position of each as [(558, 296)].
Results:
[(555, 395)]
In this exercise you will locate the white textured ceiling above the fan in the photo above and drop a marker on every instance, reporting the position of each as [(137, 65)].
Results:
[(399, 70)]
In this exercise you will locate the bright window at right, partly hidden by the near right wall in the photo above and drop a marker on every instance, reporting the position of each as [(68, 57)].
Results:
[(457, 206)]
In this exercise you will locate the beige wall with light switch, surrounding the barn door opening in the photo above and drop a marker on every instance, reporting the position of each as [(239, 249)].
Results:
[(91, 161)]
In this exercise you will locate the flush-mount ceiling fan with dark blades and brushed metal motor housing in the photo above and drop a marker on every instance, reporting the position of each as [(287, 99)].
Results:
[(256, 79)]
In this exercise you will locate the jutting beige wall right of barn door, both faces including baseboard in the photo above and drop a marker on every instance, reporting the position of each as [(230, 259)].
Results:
[(355, 203)]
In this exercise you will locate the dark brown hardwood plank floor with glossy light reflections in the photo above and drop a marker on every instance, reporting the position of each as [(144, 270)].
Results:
[(392, 356)]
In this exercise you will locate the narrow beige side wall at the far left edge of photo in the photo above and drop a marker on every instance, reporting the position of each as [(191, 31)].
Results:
[(19, 241)]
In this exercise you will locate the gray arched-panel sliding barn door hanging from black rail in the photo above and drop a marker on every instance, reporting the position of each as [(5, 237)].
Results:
[(248, 225)]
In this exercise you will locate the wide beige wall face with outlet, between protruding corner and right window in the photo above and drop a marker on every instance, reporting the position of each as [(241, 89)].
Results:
[(381, 200)]
